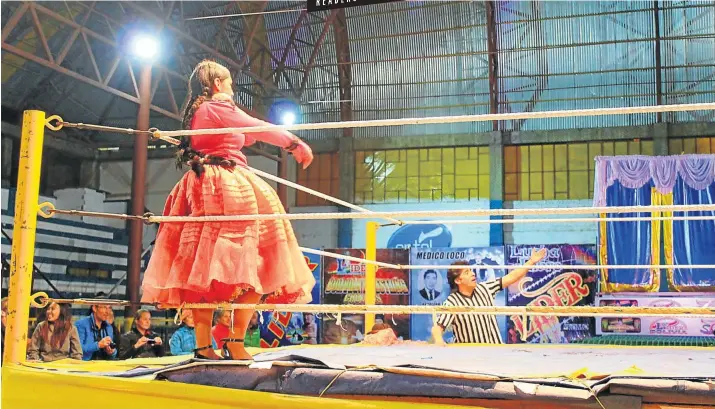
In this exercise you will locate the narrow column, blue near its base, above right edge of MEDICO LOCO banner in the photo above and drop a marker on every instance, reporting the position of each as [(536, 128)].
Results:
[(496, 185)]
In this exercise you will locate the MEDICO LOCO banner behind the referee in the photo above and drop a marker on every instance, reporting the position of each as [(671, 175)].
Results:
[(430, 286)]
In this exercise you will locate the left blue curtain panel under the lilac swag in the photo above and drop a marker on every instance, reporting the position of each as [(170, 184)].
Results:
[(628, 242)]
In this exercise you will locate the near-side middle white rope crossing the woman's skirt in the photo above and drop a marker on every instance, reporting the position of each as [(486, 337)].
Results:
[(437, 213)]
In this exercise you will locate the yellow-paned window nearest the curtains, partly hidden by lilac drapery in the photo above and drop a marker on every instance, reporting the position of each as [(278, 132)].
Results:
[(559, 171)]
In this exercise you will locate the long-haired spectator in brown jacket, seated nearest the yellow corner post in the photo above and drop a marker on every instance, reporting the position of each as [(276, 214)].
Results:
[(55, 337)]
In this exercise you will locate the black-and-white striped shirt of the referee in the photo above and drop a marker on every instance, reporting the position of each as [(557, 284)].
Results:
[(474, 328)]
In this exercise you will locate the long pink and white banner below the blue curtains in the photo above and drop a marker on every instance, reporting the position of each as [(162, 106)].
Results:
[(656, 325)]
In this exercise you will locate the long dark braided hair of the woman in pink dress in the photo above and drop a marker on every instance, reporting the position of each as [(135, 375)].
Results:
[(201, 78)]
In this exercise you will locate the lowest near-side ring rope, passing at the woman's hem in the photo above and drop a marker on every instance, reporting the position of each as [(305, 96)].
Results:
[(576, 311)]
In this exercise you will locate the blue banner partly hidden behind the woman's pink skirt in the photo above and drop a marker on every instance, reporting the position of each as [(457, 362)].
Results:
[(296, 328)]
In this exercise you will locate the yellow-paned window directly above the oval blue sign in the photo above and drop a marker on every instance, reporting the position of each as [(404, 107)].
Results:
[(422, 175)]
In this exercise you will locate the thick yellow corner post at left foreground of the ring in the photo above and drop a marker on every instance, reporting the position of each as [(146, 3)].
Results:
[(23, 243)]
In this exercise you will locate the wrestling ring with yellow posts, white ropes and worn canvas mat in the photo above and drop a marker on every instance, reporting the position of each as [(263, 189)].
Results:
[(360, 376)]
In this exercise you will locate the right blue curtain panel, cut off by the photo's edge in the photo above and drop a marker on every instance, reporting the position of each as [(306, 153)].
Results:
[(693, 240)]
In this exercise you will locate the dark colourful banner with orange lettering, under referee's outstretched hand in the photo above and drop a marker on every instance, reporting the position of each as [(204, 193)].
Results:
[(548, 287)]
